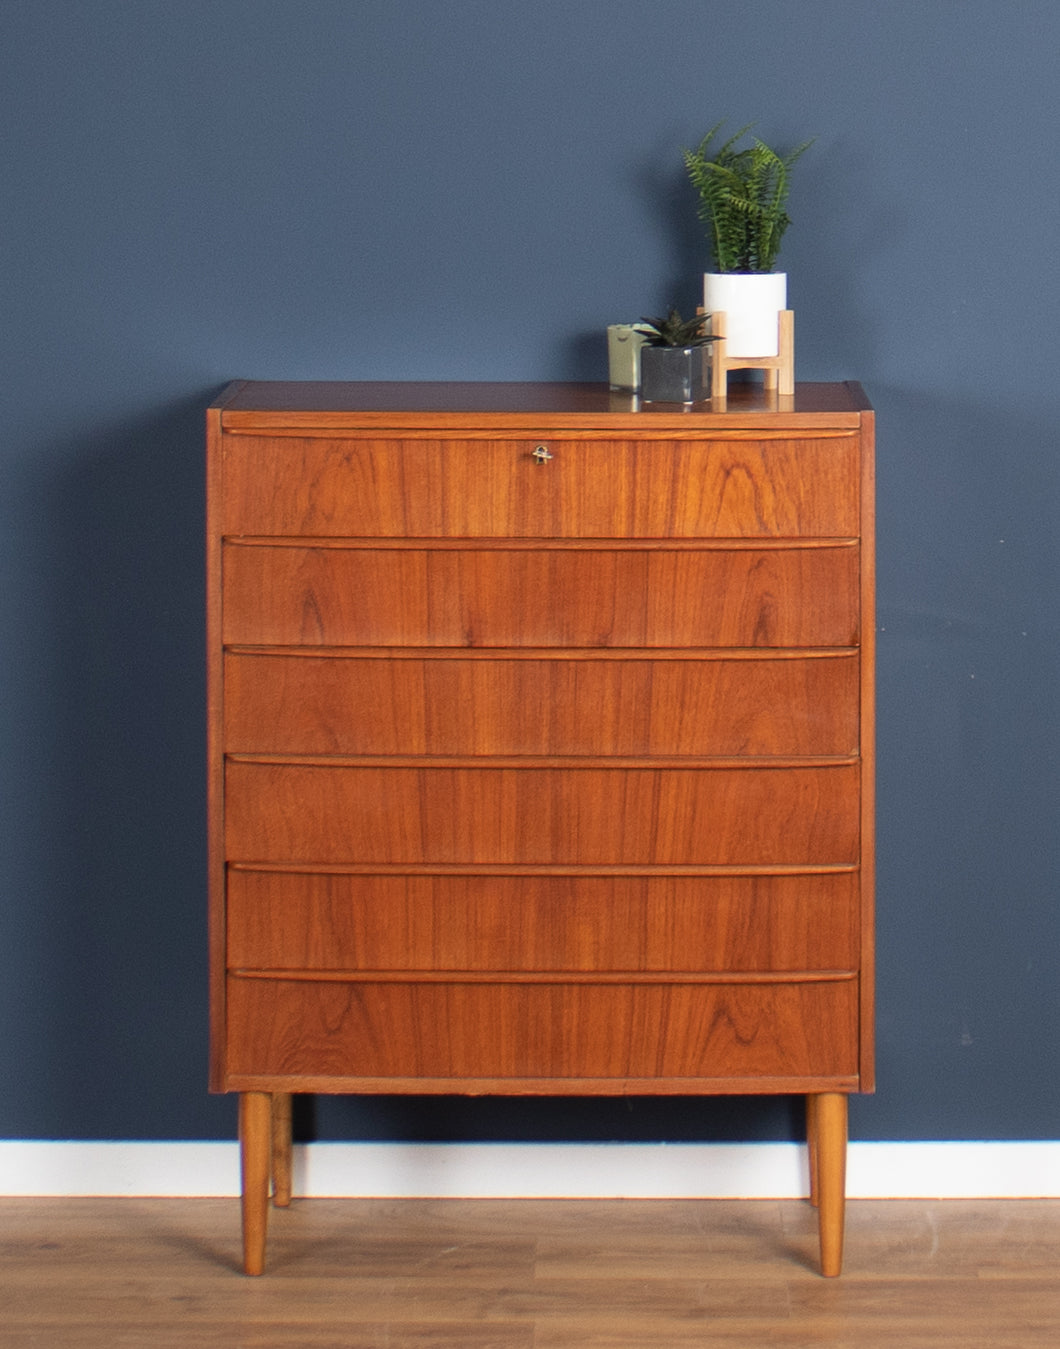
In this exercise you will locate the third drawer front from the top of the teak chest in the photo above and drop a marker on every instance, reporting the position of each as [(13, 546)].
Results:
[(331, 705)]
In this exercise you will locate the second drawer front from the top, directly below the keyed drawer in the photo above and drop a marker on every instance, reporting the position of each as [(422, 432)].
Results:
[(546, 597)]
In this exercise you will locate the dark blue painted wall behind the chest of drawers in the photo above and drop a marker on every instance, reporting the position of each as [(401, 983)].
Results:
[(212, 190)]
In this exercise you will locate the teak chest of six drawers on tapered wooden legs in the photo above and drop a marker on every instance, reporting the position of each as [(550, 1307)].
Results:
[(541, 752)]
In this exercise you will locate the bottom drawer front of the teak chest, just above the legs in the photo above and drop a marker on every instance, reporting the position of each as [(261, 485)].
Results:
[(467, 1031)]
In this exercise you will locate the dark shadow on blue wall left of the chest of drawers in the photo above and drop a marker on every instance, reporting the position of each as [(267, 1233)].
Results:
[(121, 913)]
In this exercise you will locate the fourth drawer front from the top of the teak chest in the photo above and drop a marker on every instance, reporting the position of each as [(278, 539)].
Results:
[(292, 813)]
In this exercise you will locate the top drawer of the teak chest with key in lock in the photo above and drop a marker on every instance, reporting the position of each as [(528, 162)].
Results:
[(440, 488)]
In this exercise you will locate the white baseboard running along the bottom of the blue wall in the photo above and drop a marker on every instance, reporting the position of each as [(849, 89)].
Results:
[(541, 1172)]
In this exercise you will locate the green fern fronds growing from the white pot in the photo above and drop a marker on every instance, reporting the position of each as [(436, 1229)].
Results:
[(742, 199)]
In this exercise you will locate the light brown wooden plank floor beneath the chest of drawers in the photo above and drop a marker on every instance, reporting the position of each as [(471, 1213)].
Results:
[(80, 1274)]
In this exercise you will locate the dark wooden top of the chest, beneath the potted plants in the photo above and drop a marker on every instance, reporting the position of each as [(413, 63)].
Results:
[(293, 403)]
